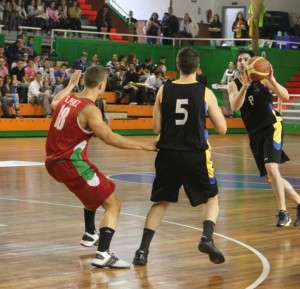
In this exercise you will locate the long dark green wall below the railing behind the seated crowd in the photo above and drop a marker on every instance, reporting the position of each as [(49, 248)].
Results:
[(213, 60)]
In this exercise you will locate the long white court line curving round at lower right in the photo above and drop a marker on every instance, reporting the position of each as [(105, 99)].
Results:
[(265, 263)]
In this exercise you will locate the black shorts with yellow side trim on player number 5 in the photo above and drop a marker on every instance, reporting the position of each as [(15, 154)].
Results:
[(192, 169)]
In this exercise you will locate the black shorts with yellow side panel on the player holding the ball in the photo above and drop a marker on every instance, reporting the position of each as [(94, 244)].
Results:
[(266, 146)]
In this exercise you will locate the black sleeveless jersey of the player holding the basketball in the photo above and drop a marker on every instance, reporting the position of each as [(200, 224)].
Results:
[(257, 111)]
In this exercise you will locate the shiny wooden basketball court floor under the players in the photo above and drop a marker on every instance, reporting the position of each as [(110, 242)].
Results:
[(41, 224)]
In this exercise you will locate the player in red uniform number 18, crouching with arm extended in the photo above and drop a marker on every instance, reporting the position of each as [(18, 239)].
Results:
[(75, 121)]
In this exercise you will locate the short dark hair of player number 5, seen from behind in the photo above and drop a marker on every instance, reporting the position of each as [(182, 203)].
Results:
[(187, 60)]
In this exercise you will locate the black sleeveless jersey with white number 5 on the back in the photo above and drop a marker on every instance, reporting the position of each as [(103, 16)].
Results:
[(183, 111)]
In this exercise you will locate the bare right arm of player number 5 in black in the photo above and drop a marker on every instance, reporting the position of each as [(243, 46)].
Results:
[(214, 112)]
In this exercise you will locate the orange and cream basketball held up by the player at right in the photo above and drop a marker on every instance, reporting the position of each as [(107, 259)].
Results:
[(258, 68)]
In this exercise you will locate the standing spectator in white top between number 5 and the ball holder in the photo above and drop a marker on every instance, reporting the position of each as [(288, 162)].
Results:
[(229, 75)]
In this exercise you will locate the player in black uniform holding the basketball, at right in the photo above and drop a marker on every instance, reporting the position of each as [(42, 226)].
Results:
[(264, 127)]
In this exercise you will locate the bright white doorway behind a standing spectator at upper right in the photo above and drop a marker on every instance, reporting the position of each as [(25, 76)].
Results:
[(228, 15)]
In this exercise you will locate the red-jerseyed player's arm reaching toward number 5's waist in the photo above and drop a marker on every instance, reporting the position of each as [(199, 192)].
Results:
[(91, 118)]
